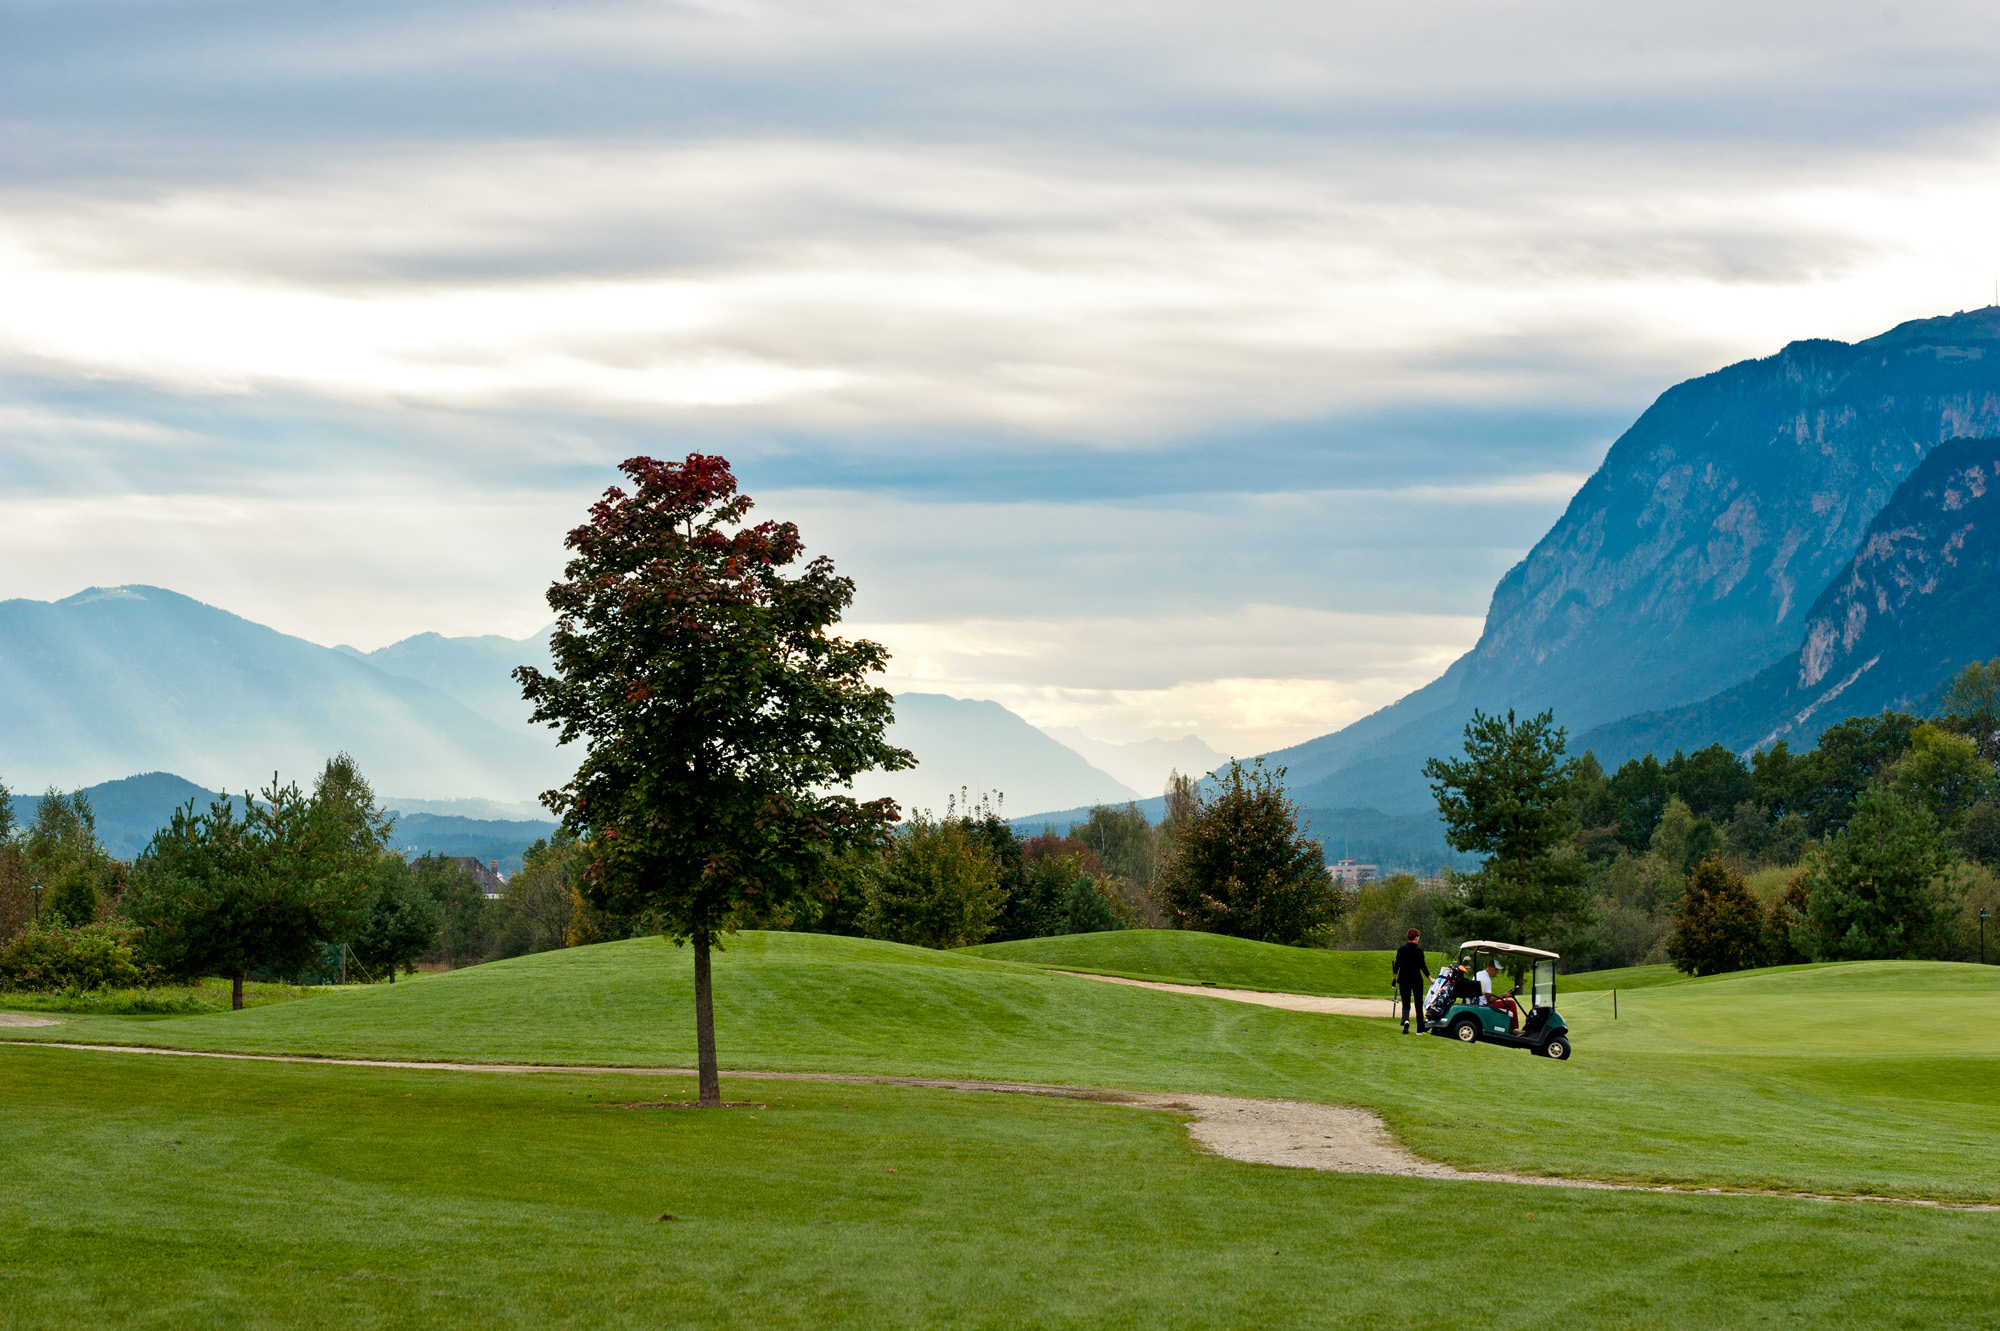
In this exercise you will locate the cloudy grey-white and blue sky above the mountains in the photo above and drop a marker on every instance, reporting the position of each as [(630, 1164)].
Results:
[(1153, 369)]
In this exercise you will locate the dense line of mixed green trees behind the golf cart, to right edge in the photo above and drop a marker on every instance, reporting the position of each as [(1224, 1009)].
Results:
[(1879, 842)]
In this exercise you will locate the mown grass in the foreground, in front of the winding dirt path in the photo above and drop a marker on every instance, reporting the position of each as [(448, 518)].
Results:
[(149, 1192)]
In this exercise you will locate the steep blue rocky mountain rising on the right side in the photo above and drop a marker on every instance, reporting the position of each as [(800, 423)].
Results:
[(1701, 555)]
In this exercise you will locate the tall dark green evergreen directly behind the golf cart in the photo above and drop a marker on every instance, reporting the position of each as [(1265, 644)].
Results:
[(1511, 798)]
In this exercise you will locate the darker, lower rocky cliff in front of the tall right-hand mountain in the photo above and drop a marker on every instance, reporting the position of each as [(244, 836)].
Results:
[(1917, 603)]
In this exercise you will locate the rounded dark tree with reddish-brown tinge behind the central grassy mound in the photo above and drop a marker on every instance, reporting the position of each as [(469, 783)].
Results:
[(1241, 864)]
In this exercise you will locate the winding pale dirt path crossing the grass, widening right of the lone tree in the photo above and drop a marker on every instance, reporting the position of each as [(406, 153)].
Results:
[(1261, 1132)]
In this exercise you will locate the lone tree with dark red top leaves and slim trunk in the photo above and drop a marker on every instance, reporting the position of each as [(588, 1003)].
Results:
[(717, 710)]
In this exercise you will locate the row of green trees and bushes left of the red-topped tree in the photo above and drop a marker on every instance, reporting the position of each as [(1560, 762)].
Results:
[(287, 884)]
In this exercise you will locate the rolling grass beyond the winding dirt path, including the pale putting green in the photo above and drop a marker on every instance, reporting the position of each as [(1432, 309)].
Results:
[(1869, 1078)]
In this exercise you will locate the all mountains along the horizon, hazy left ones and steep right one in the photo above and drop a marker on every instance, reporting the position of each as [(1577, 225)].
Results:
[(1767, 551)]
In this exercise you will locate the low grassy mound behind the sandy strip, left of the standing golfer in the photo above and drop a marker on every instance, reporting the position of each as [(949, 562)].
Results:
[(1187, 958)]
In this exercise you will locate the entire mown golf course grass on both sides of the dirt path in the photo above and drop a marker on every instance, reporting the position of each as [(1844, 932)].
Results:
[(231, 1190)]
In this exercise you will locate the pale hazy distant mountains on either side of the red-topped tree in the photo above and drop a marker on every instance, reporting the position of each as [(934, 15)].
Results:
[(141, 678)]
